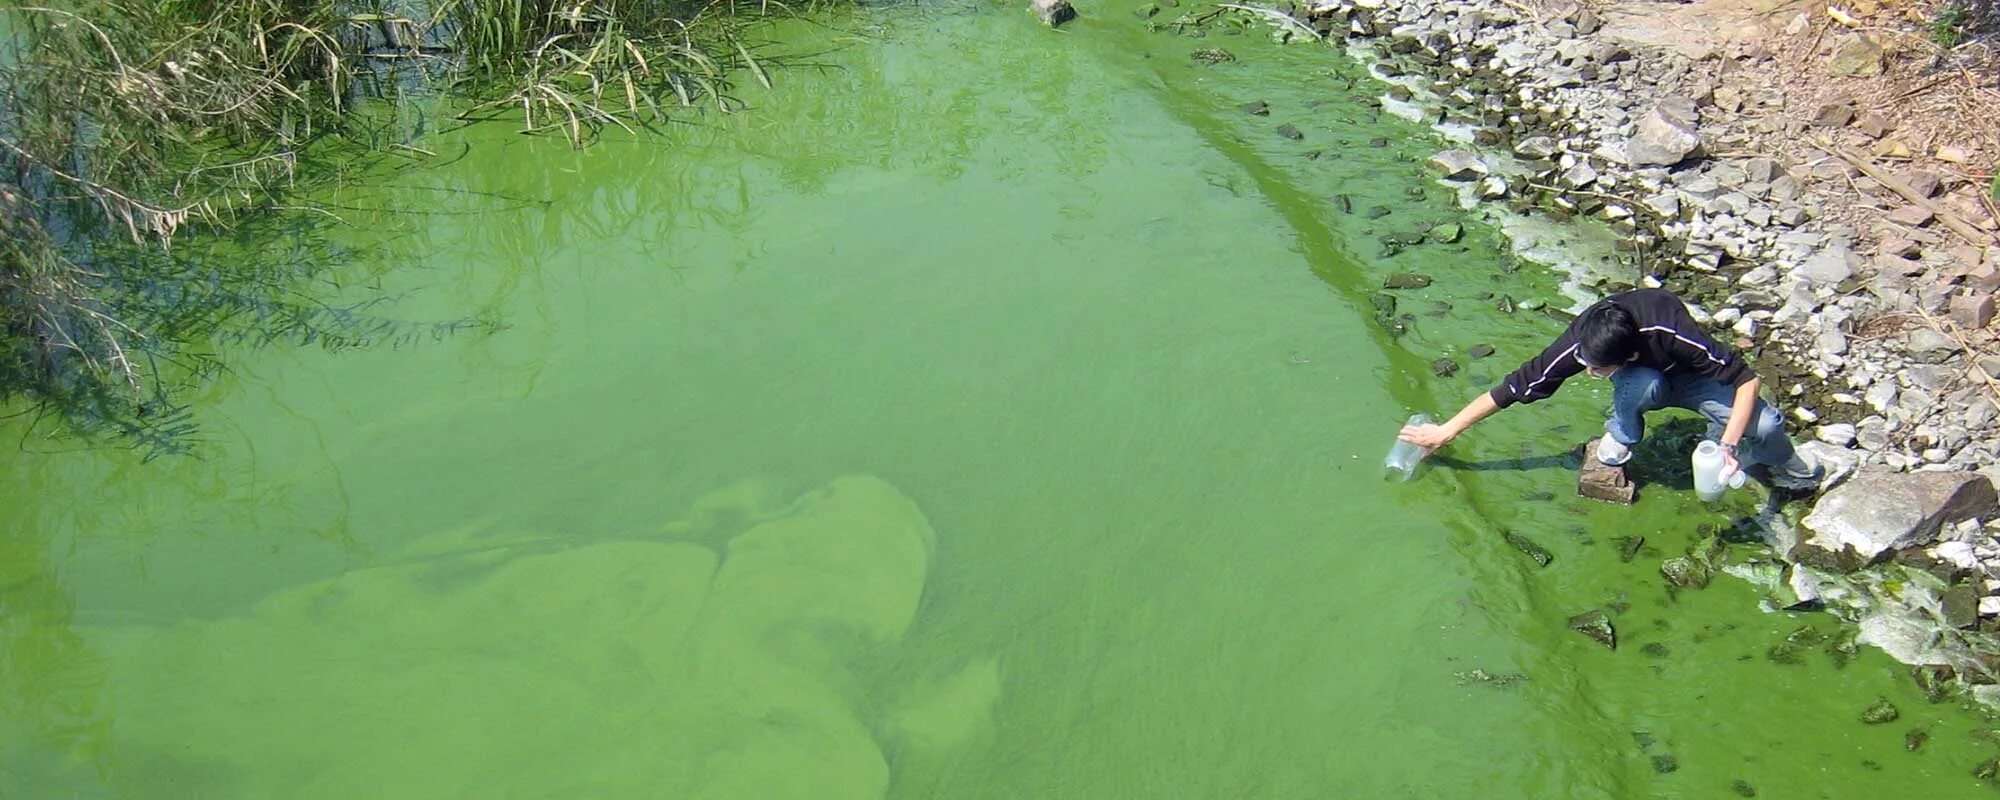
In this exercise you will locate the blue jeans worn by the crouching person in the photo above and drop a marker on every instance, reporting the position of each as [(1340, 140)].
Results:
[(1639, 391)]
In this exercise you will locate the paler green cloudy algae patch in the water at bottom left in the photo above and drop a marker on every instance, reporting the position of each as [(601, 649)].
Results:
[(709, 673)]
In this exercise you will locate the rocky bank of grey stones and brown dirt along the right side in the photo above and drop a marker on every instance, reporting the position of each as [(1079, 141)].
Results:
[(1873, 329)]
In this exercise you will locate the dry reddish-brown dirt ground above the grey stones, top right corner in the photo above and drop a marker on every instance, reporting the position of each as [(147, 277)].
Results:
[(1935, 109)]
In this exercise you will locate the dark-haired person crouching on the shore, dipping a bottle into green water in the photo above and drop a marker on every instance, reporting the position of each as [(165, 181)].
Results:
[(1657, 357)]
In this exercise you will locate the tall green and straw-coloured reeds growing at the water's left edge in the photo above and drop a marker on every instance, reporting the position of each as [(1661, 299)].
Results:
[(137, 131)]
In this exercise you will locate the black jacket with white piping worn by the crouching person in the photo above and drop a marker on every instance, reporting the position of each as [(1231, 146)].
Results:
[(1671, 343)]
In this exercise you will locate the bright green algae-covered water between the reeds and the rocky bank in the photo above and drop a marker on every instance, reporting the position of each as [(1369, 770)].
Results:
[(995, 413)]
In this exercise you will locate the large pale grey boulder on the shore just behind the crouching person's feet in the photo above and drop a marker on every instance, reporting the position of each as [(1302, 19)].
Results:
[(1877, 513)]
